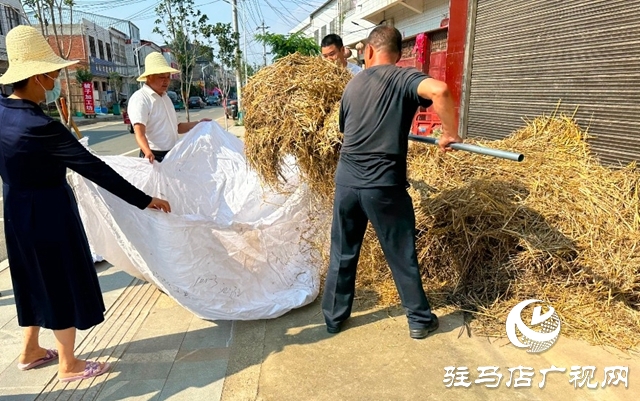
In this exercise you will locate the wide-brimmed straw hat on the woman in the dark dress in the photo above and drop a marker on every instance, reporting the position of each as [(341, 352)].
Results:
[(29, 54)]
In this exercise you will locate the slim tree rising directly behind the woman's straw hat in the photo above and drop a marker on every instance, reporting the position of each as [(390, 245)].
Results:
[(49, 16)]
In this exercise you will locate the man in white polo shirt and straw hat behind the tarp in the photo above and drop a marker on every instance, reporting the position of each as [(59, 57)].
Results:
[(151, 111)]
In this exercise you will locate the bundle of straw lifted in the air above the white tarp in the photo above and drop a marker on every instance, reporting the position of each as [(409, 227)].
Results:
[(286, 105)]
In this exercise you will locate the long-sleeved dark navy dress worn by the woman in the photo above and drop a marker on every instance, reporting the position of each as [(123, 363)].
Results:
[(54, 280)]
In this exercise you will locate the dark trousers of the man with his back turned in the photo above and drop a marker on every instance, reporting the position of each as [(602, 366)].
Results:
[(390, 211)]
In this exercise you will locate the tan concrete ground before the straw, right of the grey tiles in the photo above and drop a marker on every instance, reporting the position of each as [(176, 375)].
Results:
[(373, 358)]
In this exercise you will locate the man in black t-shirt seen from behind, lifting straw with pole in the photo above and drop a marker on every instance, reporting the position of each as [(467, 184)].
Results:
[(376, 112)]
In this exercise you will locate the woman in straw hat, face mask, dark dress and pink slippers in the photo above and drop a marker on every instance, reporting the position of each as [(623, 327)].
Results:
[(54, 280)]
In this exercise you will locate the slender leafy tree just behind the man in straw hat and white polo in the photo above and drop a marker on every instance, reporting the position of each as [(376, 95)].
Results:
[(188, 33)]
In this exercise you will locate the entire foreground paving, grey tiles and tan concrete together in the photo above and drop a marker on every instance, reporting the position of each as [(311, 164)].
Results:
[(160, 351)]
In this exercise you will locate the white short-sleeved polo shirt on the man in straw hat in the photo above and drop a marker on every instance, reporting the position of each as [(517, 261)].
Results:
[(157, 114)]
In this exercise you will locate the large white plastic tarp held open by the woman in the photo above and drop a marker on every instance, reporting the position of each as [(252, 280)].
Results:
[(230, 249)]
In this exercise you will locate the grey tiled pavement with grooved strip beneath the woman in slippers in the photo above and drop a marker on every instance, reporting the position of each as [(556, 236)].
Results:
[(159, 351)]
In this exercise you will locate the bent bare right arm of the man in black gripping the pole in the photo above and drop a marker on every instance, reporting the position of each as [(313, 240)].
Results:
[(438, 93)]
